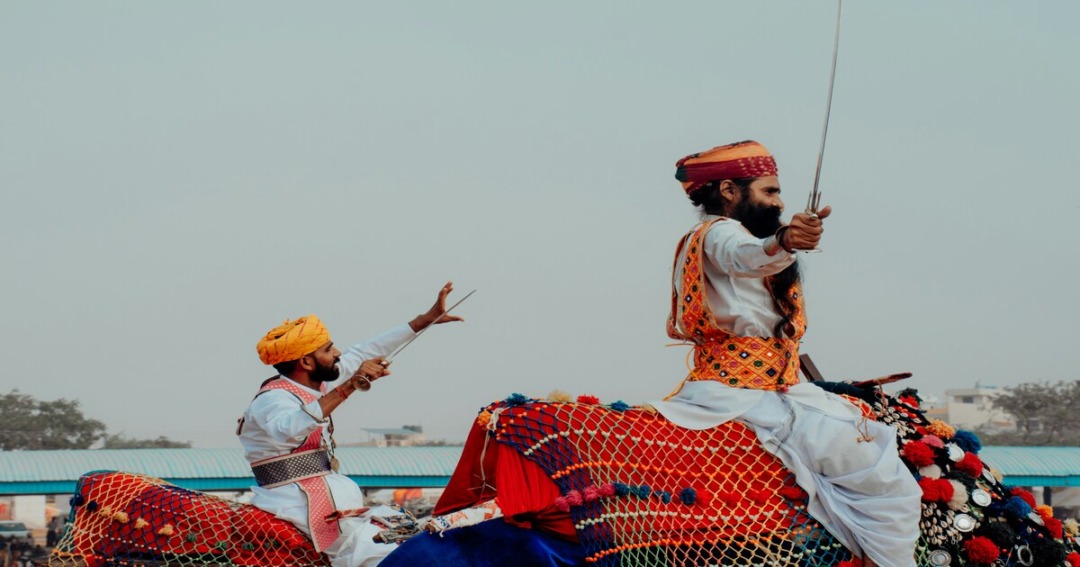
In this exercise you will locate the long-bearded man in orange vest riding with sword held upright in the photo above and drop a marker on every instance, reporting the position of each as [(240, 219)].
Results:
[(737, 298)]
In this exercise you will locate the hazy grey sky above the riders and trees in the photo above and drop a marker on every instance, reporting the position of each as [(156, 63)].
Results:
[(179, 178)]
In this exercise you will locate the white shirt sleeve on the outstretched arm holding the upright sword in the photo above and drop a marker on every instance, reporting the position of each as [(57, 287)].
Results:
[(736, 252)]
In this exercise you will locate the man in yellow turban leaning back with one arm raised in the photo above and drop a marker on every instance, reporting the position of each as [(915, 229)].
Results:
[(288, 433)]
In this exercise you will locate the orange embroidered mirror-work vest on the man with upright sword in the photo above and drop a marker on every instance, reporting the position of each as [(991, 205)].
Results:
[(761, 363)]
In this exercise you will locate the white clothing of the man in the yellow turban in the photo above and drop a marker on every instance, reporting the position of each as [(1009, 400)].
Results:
[(276, 423)]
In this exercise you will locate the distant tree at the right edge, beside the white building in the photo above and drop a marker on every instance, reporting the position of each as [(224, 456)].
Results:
[(1046, 415)]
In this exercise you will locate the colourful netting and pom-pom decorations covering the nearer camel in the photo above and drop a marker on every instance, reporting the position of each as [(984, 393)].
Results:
[(642, 492)]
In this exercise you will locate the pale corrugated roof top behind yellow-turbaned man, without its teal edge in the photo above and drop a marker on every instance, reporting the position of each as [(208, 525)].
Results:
[(43, 466)]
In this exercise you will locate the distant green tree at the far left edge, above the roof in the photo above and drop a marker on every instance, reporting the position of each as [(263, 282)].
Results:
[(30, 425)]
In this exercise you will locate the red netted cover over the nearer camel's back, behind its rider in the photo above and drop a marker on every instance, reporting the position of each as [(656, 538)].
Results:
[(644, 492)]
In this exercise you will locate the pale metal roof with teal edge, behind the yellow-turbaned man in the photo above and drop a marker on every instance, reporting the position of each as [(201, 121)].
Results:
[(57, 471)]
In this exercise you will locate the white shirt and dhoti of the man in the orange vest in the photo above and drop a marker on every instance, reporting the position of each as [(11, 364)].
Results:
[(861, 492)]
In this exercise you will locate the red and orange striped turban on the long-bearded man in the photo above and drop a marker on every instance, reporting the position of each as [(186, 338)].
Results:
[(734, 161)]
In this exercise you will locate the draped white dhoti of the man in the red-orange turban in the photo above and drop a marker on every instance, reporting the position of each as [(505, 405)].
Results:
[(861, 492)]
